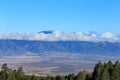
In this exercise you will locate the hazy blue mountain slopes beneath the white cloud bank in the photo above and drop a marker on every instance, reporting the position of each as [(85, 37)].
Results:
[(17, 47)]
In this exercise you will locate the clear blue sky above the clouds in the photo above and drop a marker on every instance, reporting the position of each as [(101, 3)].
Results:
[(65, 15)]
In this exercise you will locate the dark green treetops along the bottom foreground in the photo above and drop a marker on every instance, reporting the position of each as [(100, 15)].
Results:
[(101, 71)]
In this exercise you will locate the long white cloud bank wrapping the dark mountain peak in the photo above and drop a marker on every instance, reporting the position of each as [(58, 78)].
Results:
[(61, 36)]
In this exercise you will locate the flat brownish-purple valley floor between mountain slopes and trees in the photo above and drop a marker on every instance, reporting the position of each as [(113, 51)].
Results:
[(55, 63)]
